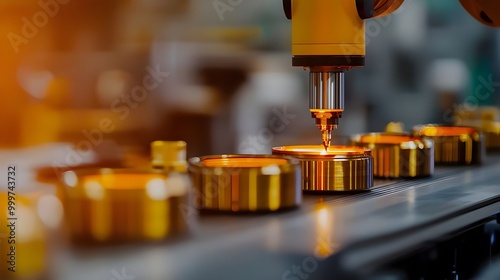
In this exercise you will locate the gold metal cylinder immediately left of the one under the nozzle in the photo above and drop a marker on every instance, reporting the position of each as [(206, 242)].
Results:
[(245, 183)]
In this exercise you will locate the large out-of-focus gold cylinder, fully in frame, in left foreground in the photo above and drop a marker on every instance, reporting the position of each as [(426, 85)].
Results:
[(122, 205)]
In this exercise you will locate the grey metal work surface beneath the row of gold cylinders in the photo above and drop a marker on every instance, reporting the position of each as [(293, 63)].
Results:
[(357, 231)]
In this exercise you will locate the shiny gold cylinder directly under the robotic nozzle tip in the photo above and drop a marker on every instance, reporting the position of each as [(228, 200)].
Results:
[(341, 168)]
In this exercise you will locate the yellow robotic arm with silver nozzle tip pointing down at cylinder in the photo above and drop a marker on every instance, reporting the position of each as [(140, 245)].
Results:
[(328, 38)]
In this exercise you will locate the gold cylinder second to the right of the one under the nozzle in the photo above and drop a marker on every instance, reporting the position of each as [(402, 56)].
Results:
[(455, 145)]
